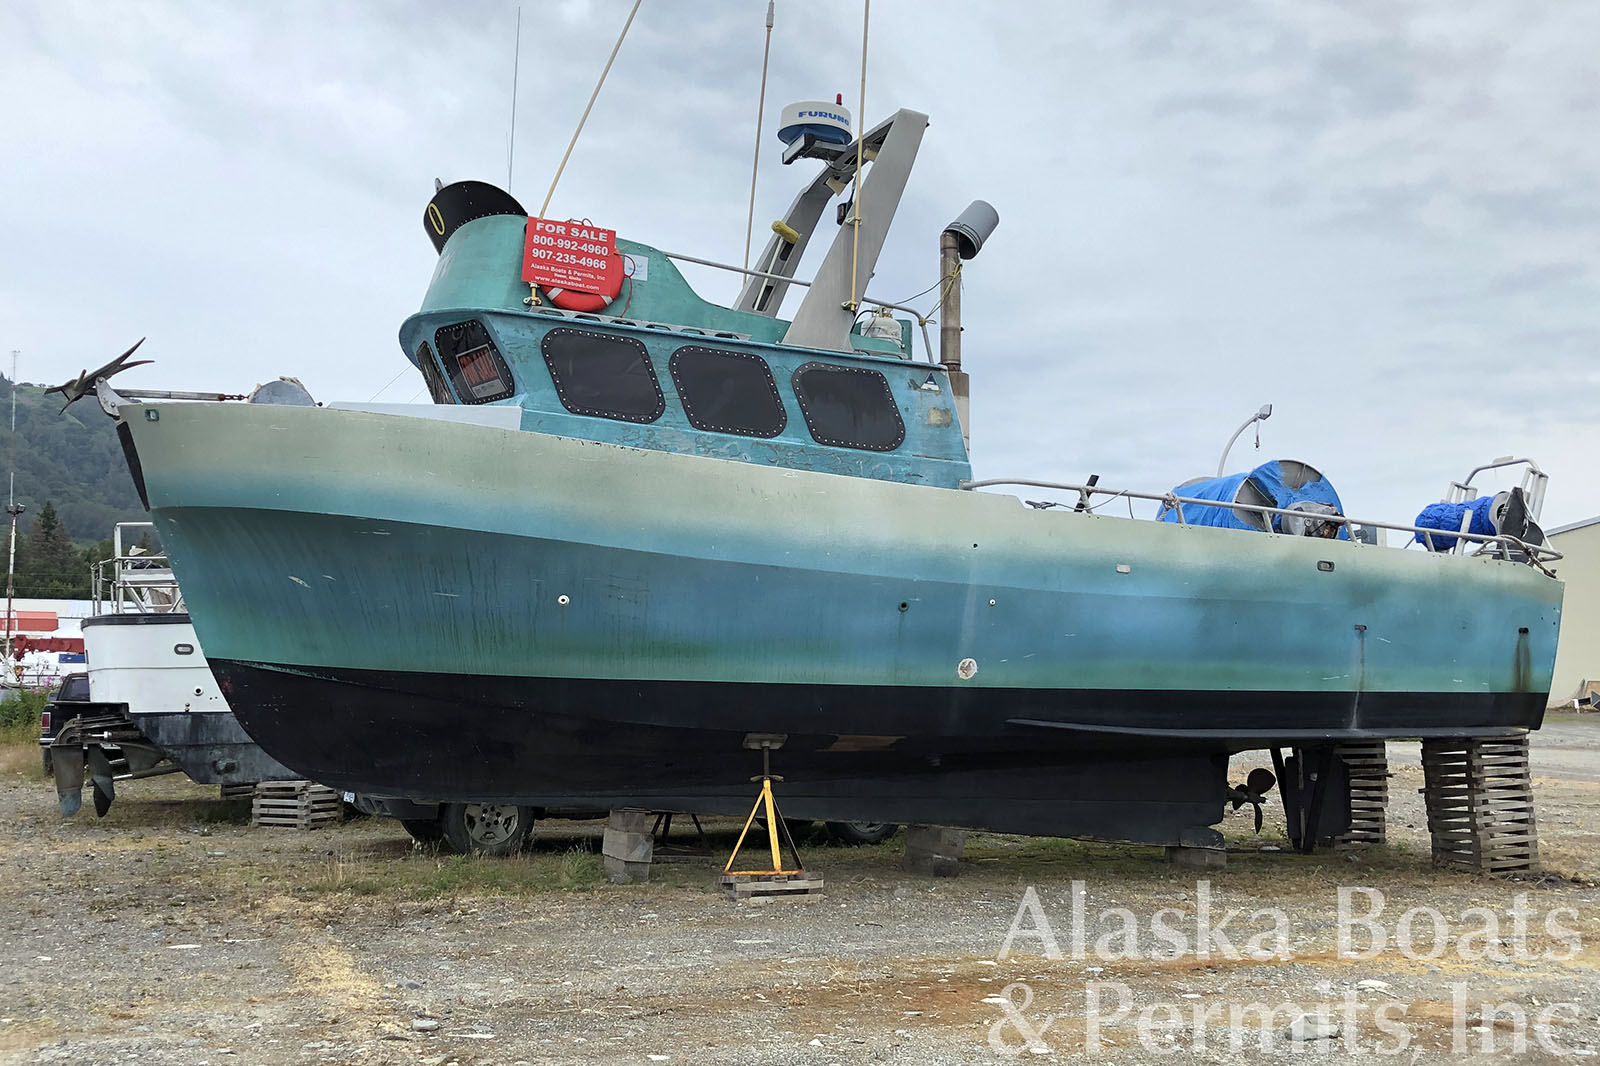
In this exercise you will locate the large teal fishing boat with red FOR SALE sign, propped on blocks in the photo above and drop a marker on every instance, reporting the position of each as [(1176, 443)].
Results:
[(638, 534)]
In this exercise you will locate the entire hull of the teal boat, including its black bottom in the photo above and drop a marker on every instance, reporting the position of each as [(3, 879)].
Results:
[(455, 612)]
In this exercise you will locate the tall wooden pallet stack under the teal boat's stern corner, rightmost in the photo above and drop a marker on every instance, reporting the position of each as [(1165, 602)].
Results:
[(1481, 804)]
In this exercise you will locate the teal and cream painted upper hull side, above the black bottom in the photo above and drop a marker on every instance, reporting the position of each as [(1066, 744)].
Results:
[(401, 543)]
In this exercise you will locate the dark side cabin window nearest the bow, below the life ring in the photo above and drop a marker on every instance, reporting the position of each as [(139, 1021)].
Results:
[(607, 377)]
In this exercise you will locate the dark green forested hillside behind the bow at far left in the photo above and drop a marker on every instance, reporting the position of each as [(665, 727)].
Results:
[(73, 483)]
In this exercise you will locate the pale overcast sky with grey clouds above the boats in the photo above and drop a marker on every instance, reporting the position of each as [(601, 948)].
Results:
[(1382, 218)]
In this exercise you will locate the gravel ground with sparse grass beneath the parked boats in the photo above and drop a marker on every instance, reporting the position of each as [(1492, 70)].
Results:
[(170, 932)]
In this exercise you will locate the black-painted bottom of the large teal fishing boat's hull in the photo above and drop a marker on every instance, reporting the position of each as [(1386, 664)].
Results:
[(1129, 766)]
